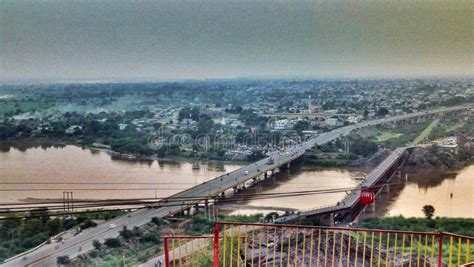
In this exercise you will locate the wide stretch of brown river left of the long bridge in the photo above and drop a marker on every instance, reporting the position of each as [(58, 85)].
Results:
[(63, 165)]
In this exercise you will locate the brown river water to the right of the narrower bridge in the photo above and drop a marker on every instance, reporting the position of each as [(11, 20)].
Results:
[(450, 193)]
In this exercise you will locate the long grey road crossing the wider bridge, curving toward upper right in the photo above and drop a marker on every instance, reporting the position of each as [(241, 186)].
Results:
[(47, 254)]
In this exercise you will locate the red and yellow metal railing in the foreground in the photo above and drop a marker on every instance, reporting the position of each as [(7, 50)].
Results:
[(236, 244)]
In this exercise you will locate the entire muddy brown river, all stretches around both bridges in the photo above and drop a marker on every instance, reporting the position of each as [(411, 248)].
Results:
[(46, 171)]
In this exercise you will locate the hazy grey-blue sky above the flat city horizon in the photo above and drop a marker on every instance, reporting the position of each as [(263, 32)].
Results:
[(70, 40)]
